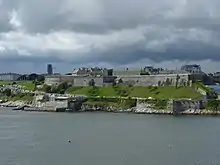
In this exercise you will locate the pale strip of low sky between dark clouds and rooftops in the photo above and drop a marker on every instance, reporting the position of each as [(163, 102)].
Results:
[(66, 67)]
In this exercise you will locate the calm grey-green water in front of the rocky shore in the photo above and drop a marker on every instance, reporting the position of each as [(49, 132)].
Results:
[(33, 138)]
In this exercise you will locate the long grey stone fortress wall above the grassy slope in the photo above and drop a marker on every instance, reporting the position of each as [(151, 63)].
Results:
[(134, 80)]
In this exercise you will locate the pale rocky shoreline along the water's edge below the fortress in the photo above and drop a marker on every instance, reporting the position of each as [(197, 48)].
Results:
[(95, 108)]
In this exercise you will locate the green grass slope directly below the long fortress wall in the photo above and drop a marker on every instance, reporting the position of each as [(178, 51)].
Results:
[(162, 92)]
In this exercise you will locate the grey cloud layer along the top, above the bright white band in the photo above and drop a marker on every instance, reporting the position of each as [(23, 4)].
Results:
[(99, 16)]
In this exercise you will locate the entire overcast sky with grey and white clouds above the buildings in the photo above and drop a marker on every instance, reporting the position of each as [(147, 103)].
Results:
[(112, 33)]
